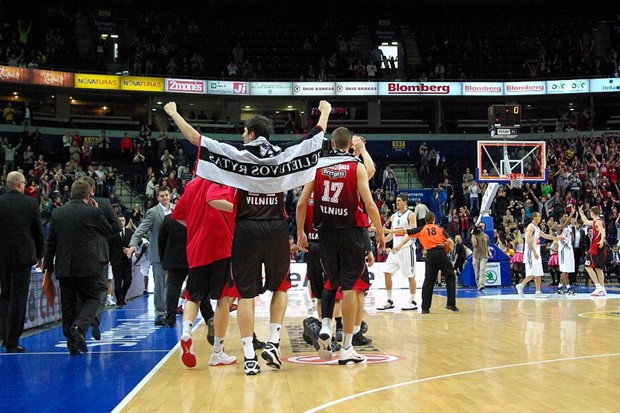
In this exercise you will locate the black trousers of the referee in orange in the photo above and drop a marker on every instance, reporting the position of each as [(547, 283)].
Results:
[(437, 260)]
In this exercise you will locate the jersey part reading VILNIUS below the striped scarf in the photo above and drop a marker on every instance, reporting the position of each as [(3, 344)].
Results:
[(250, 205)]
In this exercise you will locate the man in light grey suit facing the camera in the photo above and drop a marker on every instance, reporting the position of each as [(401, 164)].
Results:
[(151, 223)]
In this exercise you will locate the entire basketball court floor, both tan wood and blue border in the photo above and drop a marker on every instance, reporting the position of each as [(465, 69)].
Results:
[(500, 353)]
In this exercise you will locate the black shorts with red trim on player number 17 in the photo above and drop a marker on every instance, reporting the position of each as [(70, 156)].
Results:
[(343, 255)]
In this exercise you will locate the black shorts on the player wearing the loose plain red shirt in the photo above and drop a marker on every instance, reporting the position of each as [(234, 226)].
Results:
[(208, 281)]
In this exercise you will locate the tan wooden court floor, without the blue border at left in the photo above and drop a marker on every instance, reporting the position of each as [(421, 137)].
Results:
[(499, 354)]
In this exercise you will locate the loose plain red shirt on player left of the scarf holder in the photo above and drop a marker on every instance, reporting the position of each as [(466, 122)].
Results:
[(209, 230)]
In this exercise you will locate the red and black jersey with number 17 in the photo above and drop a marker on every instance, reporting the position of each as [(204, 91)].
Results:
[(336, 200)]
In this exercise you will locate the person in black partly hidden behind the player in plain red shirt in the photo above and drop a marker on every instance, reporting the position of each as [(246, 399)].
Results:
[(171, 243)]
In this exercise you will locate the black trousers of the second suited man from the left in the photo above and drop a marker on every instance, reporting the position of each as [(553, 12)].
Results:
[(79, 301)]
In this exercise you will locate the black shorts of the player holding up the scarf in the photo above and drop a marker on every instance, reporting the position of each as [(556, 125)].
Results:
[(256, 243)]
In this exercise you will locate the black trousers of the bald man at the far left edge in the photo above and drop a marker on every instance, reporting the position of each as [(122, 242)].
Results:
[(14, 285)]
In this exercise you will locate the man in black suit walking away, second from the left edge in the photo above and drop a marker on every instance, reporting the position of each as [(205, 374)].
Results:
[(72, 239)]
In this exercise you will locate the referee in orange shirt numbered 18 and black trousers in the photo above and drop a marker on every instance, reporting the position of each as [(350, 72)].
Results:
[(433, 239)]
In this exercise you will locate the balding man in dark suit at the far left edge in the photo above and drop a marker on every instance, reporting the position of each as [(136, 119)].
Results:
[(21, 245)]
